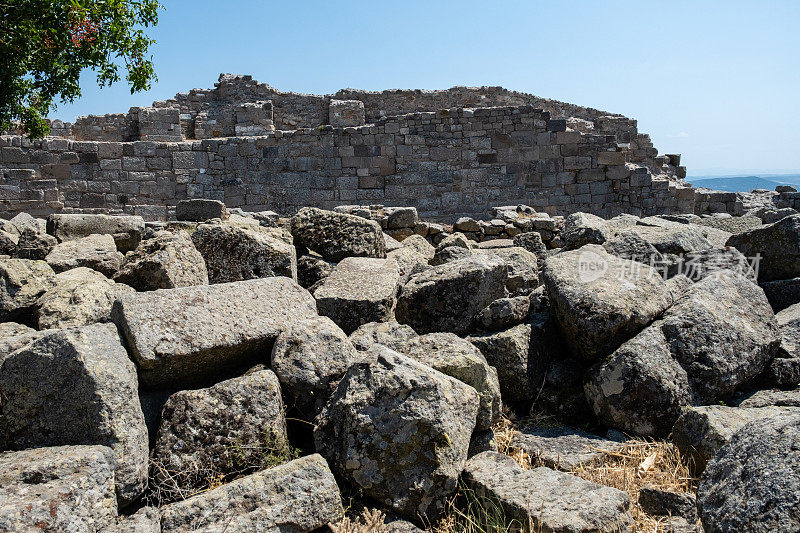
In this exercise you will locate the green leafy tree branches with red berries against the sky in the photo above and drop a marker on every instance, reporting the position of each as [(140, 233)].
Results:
[(45, 44)]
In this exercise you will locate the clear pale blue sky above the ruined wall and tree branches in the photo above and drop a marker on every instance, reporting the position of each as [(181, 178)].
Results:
[(718, 81)]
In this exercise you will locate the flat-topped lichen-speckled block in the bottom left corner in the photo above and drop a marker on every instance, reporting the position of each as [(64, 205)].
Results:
[(64, 488)]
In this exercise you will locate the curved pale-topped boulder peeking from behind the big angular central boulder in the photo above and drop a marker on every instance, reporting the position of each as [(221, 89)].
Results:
[(460, 359)]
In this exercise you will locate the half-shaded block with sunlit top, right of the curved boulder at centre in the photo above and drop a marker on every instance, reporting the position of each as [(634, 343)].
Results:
[(509, 351)]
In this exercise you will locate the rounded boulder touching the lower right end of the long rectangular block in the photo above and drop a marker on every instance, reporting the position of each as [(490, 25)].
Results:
[(310, 357)]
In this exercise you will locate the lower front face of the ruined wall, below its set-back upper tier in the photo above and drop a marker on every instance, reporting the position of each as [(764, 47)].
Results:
[(446, 164)]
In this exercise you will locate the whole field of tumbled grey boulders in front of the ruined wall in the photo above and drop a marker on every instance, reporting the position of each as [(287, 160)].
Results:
[(243, 371)]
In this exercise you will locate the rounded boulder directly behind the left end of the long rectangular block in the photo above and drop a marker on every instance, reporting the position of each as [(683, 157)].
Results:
[(166, 261)]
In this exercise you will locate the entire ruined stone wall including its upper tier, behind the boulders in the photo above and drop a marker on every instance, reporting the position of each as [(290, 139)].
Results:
[(448, 153)]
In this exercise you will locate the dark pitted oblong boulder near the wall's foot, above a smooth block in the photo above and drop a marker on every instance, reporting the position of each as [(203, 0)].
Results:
[(337, 235)]
